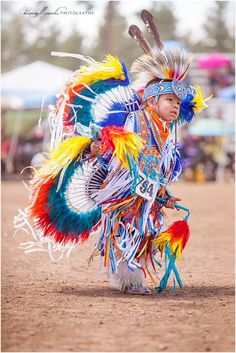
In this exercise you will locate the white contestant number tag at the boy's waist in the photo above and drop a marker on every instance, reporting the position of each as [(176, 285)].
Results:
[(146, 187)]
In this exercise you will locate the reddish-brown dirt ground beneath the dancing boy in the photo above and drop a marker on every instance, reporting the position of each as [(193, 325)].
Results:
[(67, 307)]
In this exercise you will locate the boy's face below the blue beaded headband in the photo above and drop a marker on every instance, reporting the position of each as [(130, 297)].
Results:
[(168, 106)]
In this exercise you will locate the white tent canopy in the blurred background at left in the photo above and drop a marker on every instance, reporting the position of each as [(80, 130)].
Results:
[(27, 86)]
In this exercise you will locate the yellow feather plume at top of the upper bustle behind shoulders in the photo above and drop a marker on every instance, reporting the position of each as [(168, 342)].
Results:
[(111, 67)]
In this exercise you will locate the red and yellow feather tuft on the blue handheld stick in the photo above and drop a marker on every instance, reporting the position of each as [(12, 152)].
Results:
[(176, 237)]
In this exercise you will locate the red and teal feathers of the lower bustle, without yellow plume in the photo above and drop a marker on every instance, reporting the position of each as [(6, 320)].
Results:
[(53, 214)]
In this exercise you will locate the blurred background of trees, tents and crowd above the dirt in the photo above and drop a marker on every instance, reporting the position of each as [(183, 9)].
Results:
[(31, 77)]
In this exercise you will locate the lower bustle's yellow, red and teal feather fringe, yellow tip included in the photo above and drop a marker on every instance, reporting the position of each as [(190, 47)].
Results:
[(51, 206)]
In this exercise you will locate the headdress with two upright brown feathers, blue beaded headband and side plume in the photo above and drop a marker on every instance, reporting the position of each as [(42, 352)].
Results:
[(168, 68)]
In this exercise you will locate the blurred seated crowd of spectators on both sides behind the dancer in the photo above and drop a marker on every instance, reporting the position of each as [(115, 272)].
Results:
[(201, 156)]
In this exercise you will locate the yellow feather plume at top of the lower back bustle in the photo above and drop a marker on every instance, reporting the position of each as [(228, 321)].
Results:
[(63, 155)]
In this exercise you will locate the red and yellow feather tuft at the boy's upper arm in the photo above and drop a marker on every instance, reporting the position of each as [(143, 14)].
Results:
[(124, 144)]
